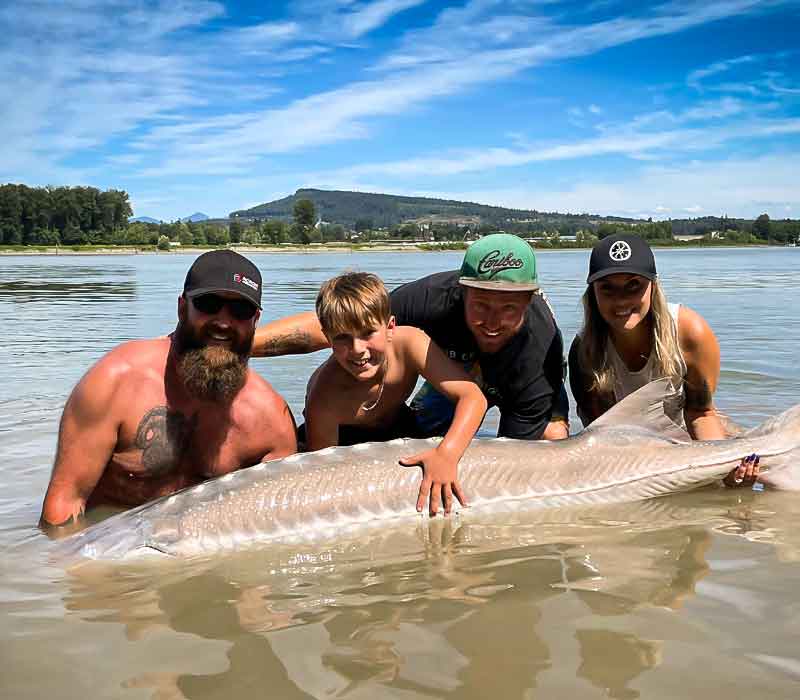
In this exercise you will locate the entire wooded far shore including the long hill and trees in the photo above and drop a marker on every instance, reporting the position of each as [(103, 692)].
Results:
[(82, 215)]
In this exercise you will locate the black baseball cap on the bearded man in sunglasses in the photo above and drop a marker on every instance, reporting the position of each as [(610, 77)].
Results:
[(223, 271)]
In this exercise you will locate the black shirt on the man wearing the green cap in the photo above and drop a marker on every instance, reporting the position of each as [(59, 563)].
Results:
[(525, 379)]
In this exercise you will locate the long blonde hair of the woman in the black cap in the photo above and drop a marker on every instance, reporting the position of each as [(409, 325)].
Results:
[(593, 355)]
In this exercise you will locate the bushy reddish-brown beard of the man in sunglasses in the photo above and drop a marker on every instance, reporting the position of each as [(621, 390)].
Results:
[(211, 372)]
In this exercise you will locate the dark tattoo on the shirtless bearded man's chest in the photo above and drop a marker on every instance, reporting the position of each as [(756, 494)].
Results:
[(163, 437)]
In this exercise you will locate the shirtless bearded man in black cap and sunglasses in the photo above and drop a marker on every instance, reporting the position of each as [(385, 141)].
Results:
[(155, 416)]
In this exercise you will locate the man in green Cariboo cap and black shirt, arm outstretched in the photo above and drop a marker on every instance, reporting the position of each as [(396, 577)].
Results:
[(491, 317)]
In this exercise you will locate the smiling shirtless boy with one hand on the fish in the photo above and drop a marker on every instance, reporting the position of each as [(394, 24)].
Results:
[(359, 393)]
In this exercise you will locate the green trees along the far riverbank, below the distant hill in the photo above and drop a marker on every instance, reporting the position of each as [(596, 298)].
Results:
[(87, 215)]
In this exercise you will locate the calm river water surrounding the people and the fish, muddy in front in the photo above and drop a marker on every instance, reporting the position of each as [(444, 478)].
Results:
[(691, 595)]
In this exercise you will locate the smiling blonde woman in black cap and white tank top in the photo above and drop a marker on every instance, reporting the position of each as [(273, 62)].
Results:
[(631, 336)]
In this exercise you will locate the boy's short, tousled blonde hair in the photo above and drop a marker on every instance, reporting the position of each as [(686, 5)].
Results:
[(352, 303)]
